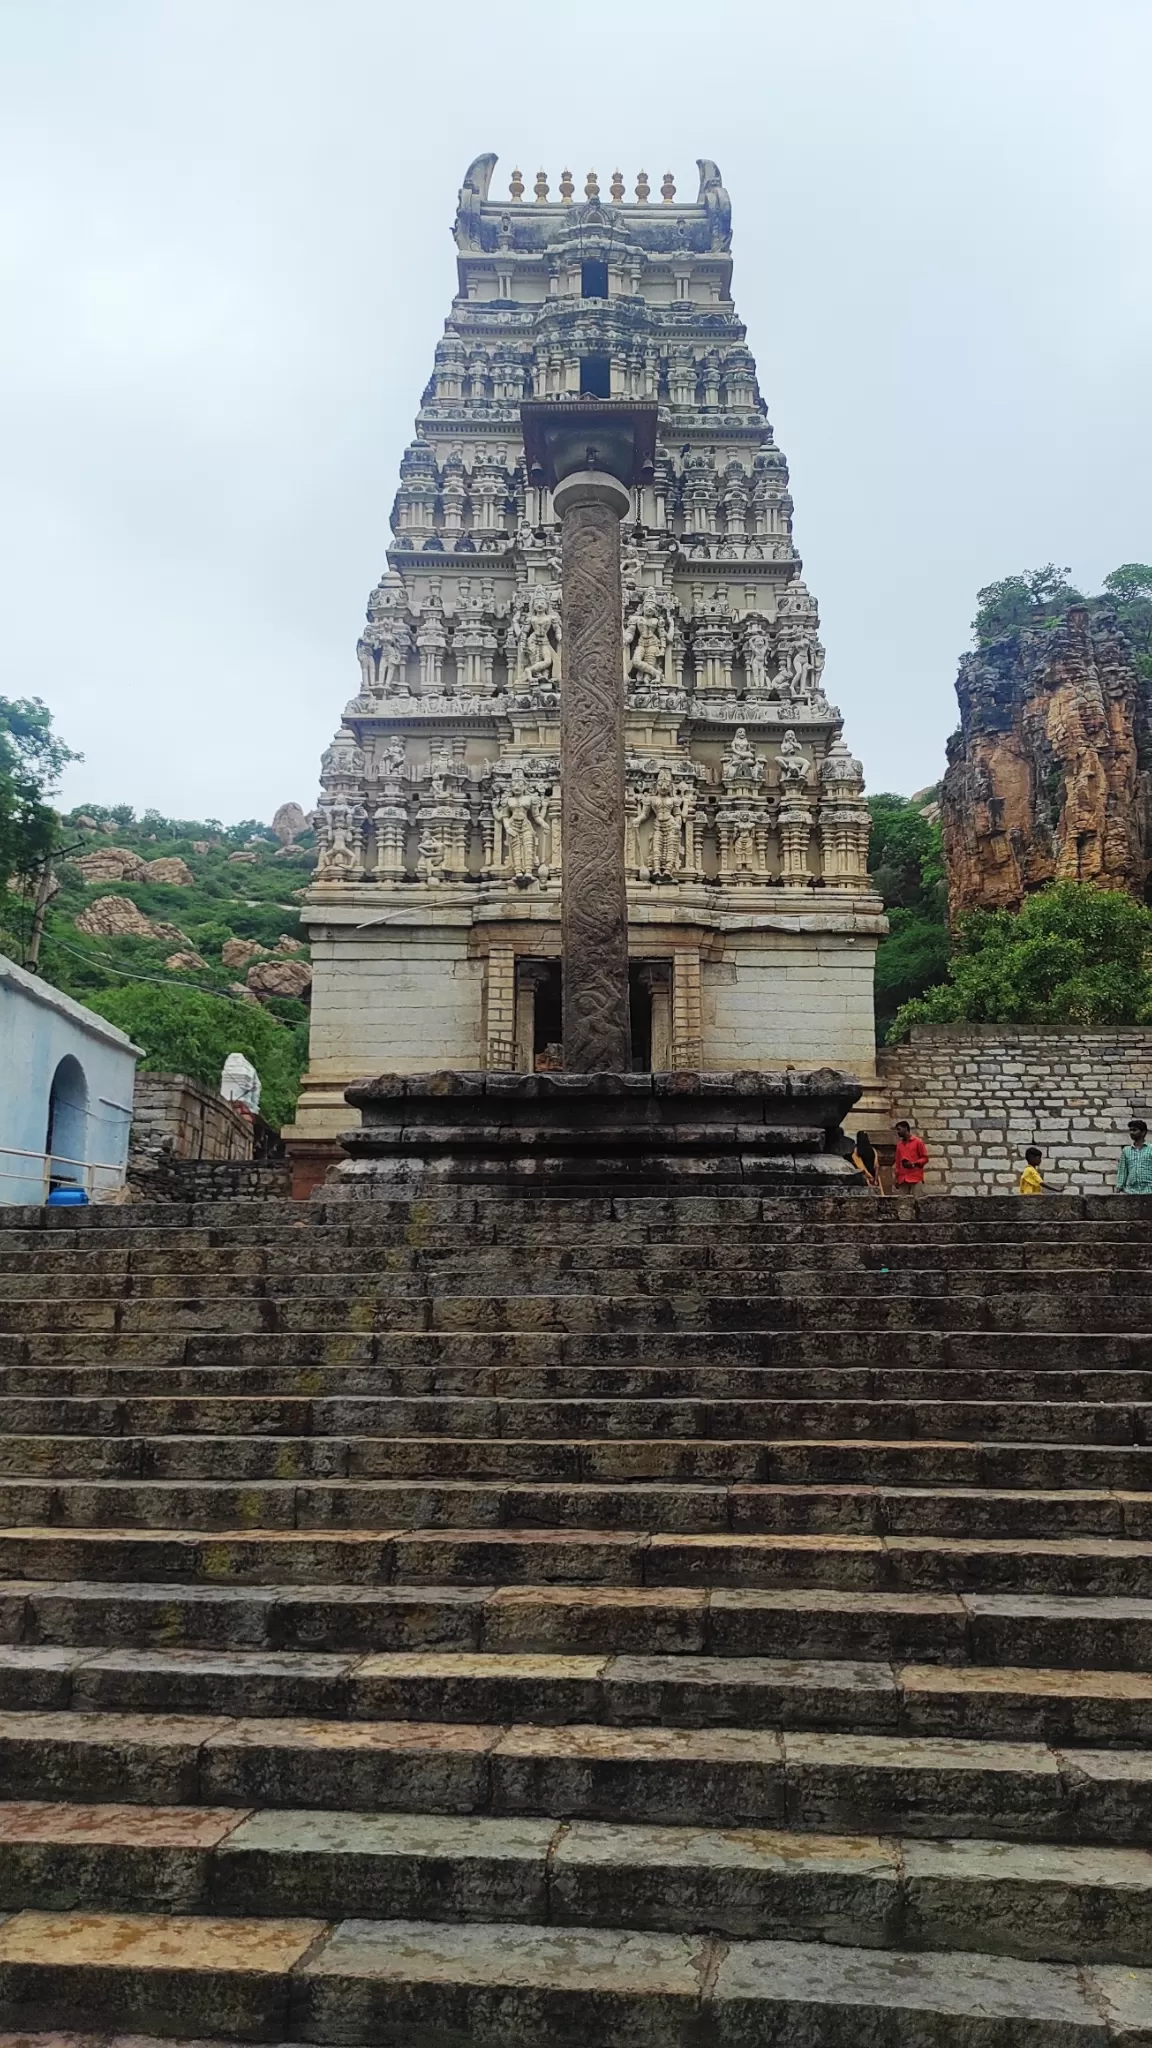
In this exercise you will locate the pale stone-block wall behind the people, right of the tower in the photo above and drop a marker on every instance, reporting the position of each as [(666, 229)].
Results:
[(981, 1093)]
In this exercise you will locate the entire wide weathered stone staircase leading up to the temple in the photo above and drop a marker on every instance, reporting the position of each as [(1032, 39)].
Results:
[(639, 1623)]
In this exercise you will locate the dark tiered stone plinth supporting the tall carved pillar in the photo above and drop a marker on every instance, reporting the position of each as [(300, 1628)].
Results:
[(686, 1134)]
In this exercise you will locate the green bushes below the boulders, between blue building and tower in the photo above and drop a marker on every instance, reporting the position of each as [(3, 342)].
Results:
[(188, 1031)]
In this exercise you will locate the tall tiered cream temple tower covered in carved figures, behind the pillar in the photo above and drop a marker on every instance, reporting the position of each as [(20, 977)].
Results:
[(436, 906)]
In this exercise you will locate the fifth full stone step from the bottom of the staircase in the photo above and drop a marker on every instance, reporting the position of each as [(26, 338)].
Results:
[(811, 1623)]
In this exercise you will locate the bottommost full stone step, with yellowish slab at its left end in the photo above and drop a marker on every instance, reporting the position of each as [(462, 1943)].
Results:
[(513, 1988)]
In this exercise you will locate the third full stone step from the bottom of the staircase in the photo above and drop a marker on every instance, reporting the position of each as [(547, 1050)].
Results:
[(811, 1781)]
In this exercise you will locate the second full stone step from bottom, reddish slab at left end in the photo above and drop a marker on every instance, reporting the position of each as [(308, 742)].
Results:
[(882, 1891)]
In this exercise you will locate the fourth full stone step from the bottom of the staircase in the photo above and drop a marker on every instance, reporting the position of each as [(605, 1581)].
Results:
[(969, 1703)]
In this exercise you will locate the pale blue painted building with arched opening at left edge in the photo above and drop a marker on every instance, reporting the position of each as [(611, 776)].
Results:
[(67, 1084)]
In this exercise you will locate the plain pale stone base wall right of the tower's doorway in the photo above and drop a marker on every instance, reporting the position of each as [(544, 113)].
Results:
[(780, 998)]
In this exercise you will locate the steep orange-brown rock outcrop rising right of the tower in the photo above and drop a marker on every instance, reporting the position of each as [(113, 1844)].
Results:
[(1051, 773)]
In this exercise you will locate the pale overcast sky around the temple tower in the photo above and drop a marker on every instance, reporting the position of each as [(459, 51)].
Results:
[(227, 259)]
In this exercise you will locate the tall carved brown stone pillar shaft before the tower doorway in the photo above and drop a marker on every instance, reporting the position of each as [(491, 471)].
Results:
[(593, 906)]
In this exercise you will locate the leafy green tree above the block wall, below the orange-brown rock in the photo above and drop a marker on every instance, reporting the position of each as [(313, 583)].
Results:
[(1071, 955)]
